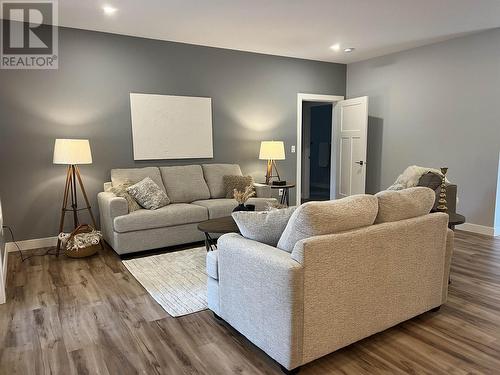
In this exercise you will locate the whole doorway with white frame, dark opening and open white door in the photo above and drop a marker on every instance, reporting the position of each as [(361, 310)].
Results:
[(347, 159)]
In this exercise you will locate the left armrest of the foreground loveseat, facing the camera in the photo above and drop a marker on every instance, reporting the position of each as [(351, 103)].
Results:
[(261, 295)]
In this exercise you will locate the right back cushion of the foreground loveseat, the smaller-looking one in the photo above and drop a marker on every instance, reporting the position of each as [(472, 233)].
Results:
[(395, 205)]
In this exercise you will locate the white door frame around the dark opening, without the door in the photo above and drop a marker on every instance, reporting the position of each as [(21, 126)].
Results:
[(301, 97)]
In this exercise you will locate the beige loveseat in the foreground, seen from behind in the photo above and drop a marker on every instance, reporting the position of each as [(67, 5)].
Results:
[(342, 271)]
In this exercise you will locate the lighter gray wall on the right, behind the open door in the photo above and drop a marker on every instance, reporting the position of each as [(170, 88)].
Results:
[(436, 105)]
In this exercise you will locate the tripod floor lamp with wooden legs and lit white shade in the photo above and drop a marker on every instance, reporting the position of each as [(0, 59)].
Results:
[(73, 152)]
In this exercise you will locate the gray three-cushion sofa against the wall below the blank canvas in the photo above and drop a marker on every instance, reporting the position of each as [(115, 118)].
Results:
[(196, 194)]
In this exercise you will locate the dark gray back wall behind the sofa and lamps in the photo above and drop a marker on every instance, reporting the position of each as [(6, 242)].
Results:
[(254, 99)]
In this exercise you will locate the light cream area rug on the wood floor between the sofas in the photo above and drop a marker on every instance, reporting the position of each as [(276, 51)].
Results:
[(177, 280)]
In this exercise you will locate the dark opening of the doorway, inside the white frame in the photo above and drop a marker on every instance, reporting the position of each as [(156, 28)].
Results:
[(316, 150)]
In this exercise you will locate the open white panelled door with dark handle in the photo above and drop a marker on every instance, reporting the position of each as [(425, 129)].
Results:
[(351, 122)]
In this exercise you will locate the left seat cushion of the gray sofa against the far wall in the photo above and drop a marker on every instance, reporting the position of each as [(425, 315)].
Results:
[(171, 215)]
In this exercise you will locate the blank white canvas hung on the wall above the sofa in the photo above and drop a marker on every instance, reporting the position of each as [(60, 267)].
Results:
[(171, 127)]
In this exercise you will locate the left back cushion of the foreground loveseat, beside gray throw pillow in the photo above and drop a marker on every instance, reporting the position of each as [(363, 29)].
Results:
[(328, 217)]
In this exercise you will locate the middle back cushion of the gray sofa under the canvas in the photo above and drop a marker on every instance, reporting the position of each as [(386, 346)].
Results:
[(185, 183)]
